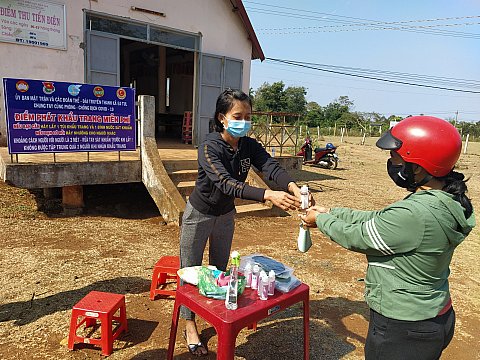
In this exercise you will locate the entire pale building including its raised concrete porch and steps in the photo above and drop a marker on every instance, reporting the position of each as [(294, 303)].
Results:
[(179, 56)]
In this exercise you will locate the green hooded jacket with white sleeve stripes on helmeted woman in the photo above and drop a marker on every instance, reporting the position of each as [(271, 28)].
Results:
[(409, 246)]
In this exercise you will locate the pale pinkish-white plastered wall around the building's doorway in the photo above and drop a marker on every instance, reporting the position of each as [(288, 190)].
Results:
[(222, 34)]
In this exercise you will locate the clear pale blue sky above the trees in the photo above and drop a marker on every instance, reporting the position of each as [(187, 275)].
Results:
[(322, 39)]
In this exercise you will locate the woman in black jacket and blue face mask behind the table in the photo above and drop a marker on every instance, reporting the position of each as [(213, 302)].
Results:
[(224, 160)]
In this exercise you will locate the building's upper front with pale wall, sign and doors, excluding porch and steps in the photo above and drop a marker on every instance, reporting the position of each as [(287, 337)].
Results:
[(182, 52)]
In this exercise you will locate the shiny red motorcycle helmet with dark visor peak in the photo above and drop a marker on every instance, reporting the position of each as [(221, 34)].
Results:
[(430, 142)]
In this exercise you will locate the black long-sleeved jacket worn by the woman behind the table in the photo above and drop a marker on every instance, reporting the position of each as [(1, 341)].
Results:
[(222, 173)]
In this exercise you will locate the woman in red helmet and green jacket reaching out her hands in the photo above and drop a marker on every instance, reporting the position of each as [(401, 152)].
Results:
[(409, 244)]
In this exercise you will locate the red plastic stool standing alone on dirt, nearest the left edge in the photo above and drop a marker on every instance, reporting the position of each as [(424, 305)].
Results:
[(100, 306)]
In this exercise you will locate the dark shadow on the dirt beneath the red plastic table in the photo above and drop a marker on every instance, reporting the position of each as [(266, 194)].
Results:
[(281, 336)]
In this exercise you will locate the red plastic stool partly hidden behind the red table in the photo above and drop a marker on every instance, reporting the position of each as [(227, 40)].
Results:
[(165, 269)]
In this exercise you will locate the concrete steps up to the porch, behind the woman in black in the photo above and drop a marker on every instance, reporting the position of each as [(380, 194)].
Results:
[(184, 174)]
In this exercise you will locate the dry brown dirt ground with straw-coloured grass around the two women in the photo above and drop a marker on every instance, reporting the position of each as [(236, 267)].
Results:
[(49, 262)]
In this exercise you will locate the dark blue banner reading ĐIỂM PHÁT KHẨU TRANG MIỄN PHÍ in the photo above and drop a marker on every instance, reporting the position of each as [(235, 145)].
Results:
[(53, 116)]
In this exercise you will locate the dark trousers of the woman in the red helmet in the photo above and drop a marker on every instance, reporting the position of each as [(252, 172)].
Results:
[(413, 340)]
